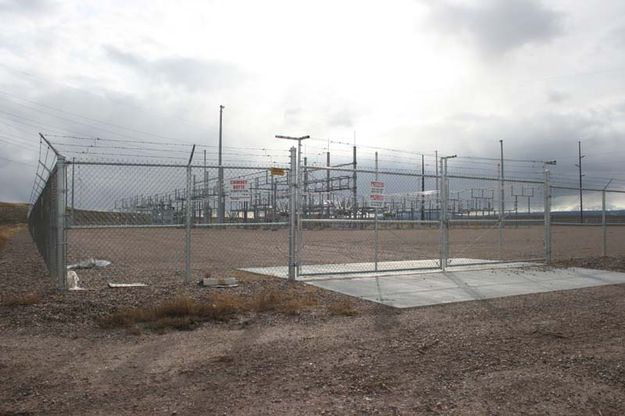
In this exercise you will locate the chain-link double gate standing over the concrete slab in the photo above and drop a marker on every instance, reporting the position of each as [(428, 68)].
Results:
[(364, 221)]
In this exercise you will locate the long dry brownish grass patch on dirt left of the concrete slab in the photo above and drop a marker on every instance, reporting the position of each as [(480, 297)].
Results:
[(185, 313)]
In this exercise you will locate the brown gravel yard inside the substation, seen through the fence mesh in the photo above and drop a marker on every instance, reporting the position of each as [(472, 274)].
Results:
[(152, 253)]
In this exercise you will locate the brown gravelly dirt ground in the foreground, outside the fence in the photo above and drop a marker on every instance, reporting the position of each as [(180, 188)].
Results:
[(558, 353)]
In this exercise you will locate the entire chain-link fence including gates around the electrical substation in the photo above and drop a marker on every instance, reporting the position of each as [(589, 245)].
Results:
[(156, 222)]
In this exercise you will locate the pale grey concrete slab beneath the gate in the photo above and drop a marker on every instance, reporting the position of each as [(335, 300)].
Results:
[(466, 282)]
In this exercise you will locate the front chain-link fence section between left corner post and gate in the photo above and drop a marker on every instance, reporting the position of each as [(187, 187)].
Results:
[(166, 220)]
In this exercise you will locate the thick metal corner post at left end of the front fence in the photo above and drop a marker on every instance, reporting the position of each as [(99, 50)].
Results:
[(61, 243)]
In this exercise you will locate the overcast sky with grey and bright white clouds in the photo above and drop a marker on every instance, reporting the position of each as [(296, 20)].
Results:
[(417, 76)]
